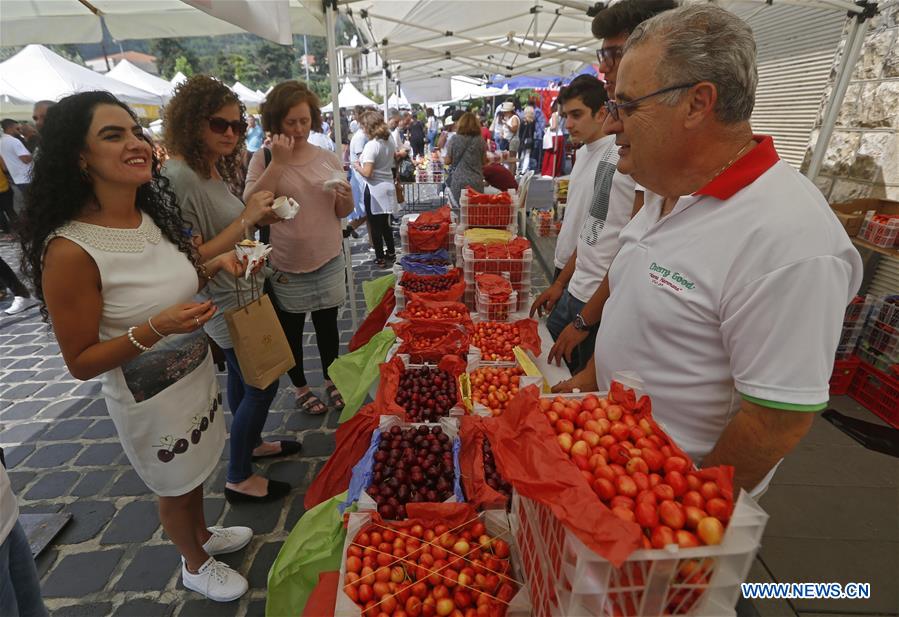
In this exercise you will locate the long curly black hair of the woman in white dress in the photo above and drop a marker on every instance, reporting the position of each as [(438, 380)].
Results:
[(59, 192)]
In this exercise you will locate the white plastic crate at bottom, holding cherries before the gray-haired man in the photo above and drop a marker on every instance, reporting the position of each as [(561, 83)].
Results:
[(648, 583)]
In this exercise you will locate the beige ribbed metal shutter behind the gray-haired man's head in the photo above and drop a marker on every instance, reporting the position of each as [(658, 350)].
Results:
[(796, 47)]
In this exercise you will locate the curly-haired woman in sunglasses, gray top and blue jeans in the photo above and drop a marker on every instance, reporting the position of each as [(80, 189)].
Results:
[(204, 133)]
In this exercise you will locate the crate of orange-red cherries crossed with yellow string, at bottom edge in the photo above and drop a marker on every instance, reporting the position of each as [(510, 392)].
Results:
[(434, 560)]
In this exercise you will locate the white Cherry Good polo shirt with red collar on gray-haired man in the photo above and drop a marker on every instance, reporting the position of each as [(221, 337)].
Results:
[(738, 292)]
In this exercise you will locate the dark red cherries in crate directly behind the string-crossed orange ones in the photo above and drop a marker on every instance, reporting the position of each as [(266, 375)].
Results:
[(412, 465)]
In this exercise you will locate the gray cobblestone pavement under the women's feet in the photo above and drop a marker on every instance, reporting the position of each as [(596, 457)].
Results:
[(63, 454)]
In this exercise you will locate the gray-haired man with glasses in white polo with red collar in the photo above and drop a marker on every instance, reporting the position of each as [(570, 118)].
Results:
[(728, 292)]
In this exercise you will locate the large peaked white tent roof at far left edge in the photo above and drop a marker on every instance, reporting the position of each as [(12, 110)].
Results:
[(36, 74)]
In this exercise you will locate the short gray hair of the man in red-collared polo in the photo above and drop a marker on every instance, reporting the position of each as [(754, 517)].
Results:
[(702, 42)]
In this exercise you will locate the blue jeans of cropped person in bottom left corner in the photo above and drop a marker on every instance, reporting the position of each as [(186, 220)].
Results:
[(20, 589)]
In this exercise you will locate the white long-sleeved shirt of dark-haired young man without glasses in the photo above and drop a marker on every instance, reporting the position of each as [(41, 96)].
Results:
[(580, 194)]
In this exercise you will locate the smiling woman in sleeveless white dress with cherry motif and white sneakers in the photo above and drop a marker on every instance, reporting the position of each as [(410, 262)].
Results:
[(104, 245)]
